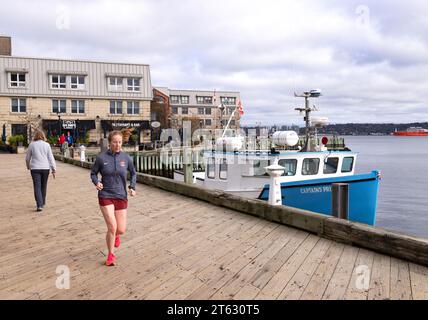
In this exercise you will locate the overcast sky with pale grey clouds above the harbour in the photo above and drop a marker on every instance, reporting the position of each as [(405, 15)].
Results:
[(369, 58)]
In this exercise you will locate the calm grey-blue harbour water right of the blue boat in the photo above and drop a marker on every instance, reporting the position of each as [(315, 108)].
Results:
[(403, 191)]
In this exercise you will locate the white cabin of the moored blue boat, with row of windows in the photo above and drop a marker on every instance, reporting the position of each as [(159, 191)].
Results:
[(244, 173)]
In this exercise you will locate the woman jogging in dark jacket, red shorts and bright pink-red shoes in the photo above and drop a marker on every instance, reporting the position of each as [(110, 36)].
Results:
[(113, 165)]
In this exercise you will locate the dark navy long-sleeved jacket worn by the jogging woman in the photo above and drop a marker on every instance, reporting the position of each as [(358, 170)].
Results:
[(114, 169)]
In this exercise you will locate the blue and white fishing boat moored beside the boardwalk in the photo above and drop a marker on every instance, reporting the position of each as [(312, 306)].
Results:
[(307, 173)]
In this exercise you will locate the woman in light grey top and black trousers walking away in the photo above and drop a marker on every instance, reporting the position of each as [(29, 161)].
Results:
[(40, 161)]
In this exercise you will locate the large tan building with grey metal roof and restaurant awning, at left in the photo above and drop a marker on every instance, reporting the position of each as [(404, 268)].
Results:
[(86, 98)]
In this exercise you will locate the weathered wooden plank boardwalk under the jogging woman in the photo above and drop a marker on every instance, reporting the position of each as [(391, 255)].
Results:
[(175, 248)]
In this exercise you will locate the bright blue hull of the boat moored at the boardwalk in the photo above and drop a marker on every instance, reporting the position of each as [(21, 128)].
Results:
[(315, 195)]
